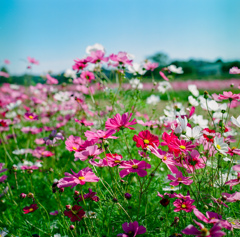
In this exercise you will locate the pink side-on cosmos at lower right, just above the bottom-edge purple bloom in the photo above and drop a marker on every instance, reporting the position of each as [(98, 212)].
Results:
[(212, 218)]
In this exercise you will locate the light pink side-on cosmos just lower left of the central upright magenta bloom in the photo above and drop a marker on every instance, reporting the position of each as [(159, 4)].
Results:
[(100, 135)]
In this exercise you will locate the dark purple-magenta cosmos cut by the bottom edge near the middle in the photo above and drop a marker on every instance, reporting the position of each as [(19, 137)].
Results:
[(132, 229)]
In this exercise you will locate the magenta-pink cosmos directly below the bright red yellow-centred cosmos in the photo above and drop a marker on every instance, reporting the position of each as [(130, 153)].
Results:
[(134, 166)]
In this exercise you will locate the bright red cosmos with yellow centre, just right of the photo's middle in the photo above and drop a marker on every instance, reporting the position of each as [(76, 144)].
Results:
[(145, 139)]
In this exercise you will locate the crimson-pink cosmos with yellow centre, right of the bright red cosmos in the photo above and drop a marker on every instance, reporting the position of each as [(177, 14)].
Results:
[(179, 146)]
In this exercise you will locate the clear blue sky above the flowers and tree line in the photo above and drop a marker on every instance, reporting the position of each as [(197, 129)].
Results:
[(57, 31)]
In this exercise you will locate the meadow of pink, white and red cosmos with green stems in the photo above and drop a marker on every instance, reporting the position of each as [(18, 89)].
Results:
[(107, 154)]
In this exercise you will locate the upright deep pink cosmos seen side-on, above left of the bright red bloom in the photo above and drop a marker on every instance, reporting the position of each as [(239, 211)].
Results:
[(120, 122)]
